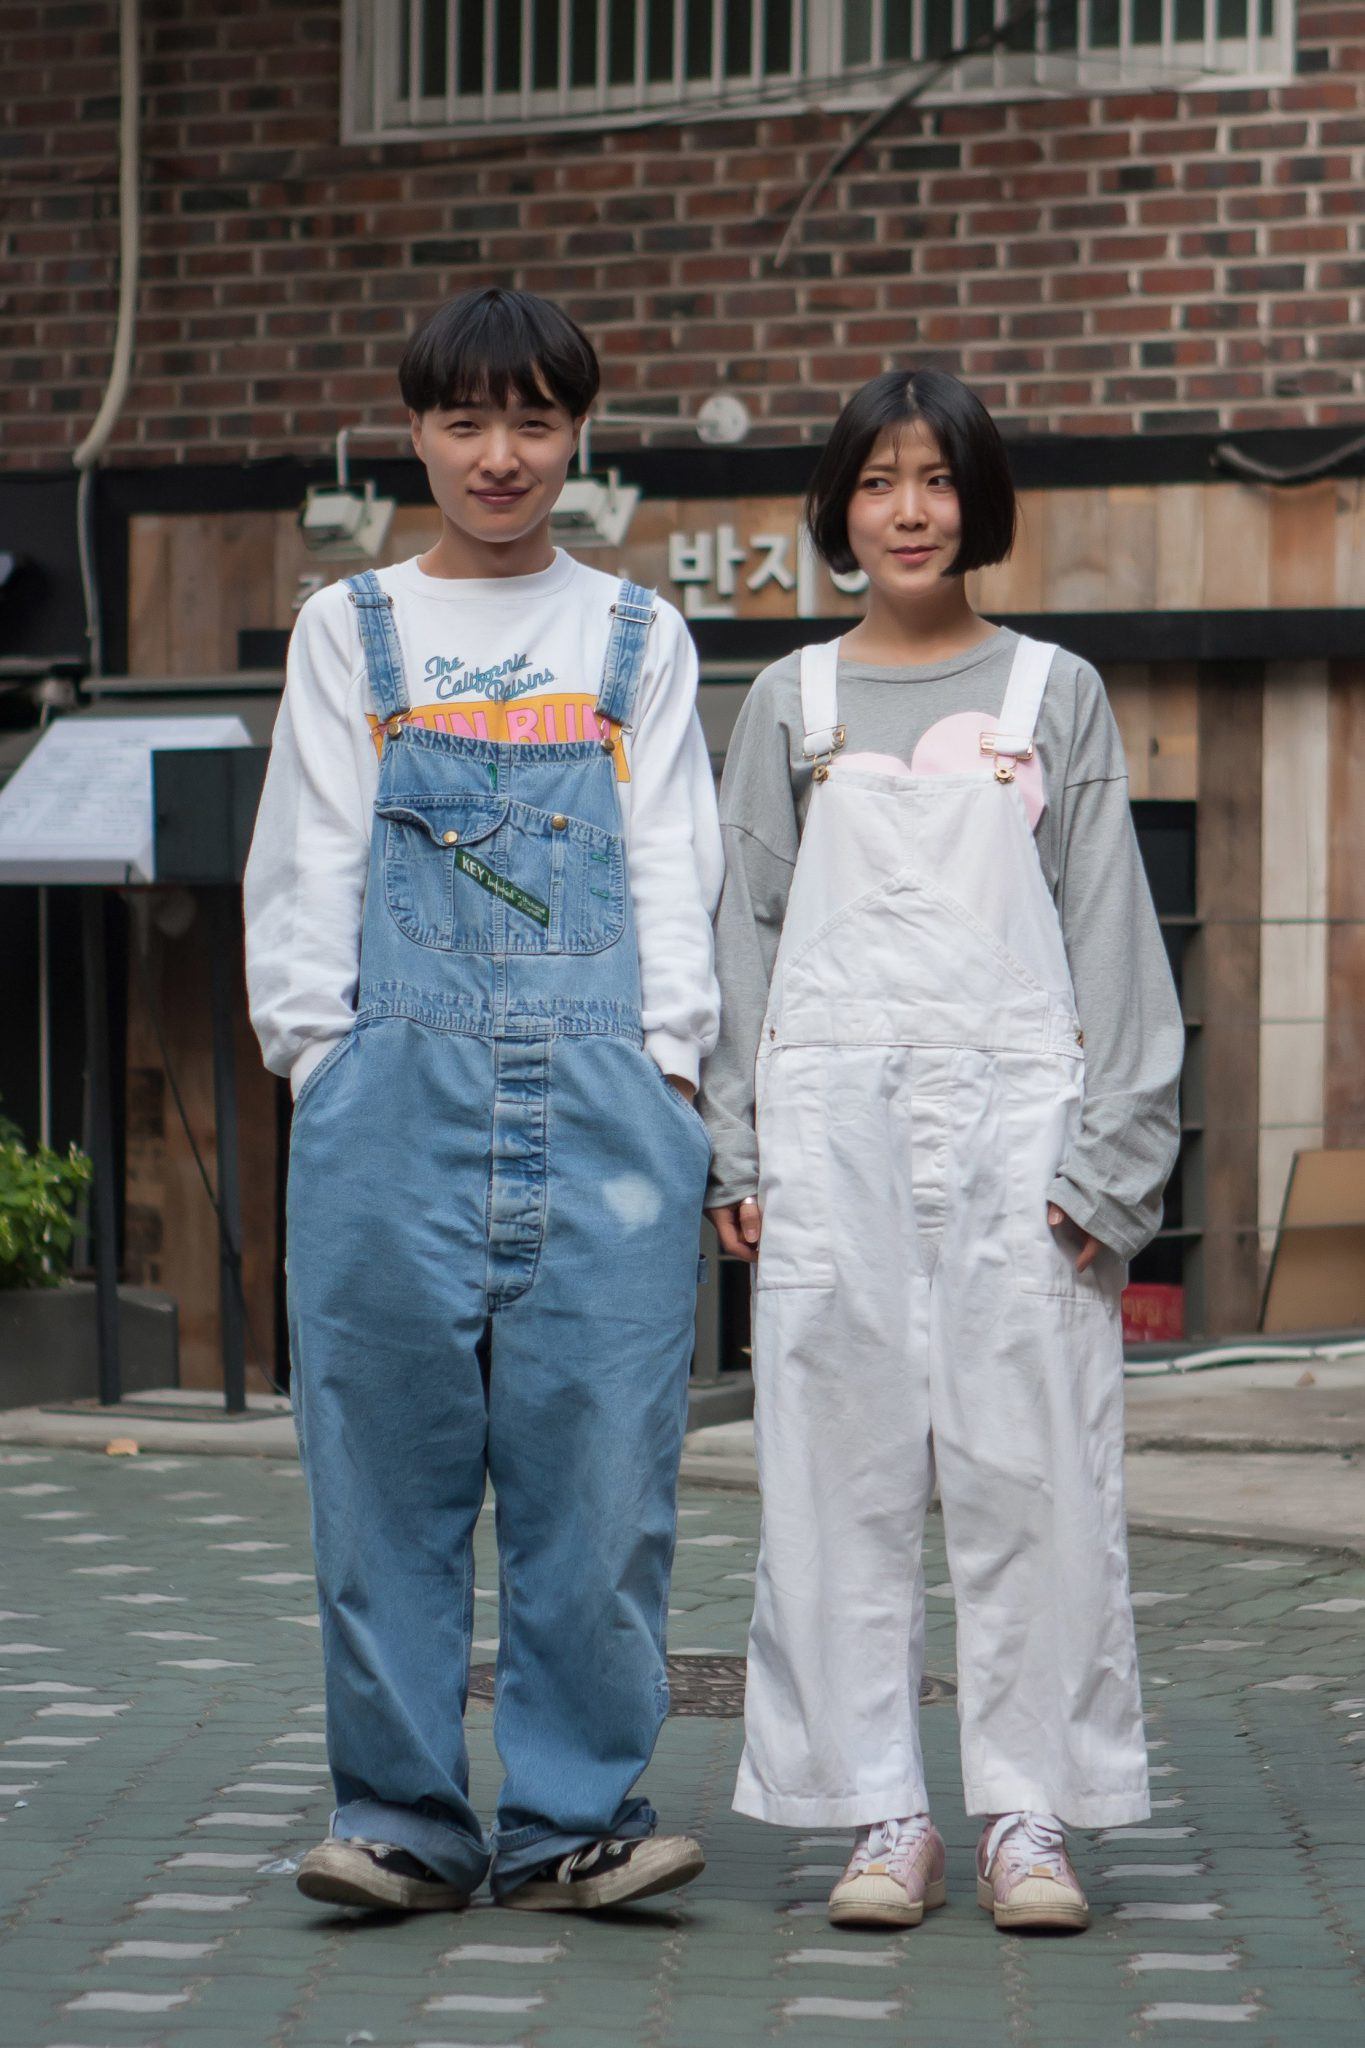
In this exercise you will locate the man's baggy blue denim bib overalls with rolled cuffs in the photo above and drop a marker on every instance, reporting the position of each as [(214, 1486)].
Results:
[(494, 1205)]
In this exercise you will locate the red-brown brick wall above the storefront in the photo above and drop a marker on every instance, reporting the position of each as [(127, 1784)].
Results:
[(1143, 261)]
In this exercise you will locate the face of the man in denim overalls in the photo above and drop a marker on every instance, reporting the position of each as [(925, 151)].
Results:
[(496, 470)]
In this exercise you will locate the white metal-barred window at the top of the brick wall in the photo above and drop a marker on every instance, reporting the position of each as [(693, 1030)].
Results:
[(597, 62)]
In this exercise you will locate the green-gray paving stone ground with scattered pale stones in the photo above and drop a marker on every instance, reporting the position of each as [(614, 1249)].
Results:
[(163, 1764)]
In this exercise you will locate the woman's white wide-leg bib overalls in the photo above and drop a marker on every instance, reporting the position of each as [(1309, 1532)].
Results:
[(918, 1084)]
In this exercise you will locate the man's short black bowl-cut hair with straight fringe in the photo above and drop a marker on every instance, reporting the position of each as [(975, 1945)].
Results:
[(492, 345)]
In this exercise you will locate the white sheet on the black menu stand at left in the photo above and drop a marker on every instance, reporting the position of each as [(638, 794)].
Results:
[(79, 810)]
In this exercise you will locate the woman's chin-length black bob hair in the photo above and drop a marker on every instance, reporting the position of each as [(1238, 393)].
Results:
[(969, 443)]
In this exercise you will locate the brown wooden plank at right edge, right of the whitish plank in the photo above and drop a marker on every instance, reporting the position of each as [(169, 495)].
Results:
[(1346, 898)]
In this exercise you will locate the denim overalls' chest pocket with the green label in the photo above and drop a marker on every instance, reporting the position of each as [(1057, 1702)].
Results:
[(472, 873)]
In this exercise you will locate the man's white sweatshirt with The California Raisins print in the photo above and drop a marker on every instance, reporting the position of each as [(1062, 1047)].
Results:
[(509, 658)]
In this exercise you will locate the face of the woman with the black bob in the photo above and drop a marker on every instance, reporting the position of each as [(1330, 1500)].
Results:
[(904, 519)]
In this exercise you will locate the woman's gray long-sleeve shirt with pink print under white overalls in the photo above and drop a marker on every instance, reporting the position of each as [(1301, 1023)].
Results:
[(1135, 1039)]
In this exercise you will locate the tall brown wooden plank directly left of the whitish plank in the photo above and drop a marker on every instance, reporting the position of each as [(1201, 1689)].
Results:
[(1225, 1279)]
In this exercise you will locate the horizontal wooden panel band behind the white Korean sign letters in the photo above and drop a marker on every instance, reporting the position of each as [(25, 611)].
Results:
[(197, 581)]
